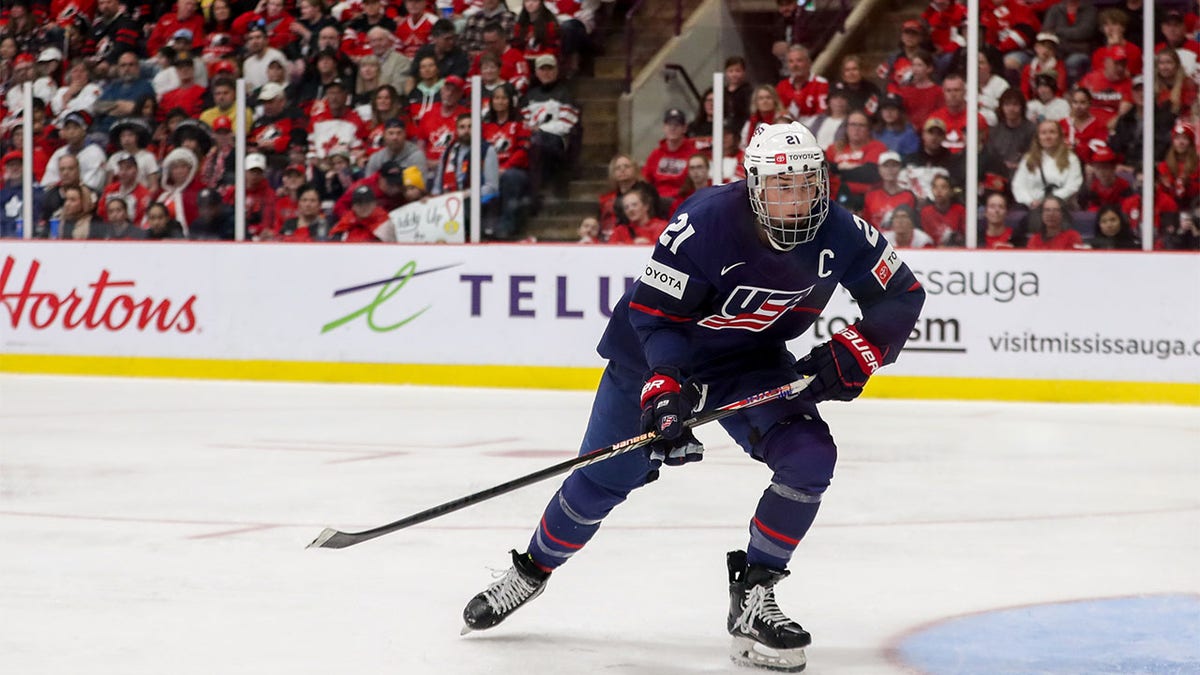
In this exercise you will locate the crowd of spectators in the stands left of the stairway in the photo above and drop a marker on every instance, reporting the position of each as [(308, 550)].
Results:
[(355, 109)]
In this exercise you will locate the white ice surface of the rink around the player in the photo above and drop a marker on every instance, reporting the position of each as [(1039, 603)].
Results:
[(160, 528)]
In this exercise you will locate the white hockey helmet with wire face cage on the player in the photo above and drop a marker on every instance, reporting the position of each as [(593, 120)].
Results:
[(789, 183)]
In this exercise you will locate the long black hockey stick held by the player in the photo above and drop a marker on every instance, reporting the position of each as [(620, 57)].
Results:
[(332, 539)]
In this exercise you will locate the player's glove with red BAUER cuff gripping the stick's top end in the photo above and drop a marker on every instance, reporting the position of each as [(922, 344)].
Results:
[(841, 368)]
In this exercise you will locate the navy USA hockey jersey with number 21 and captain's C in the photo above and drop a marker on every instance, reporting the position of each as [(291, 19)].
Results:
[(716, 295)]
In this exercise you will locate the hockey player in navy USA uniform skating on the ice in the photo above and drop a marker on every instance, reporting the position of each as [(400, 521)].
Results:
[(742, 270)]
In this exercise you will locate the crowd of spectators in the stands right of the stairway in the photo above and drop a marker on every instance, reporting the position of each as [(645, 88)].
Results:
[(1060, 130)]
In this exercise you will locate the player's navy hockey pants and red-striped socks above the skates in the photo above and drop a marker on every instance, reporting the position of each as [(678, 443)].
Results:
[(789, 437)]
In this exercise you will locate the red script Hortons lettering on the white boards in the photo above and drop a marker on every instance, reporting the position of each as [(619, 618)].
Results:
[(106, 304)]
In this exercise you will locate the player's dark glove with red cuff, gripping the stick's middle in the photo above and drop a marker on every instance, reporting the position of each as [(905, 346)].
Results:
[(667, 404)]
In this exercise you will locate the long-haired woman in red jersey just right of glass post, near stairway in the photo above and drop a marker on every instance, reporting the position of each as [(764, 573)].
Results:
[(506, 132)]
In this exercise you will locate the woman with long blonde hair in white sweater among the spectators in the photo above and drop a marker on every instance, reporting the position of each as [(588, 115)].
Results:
[(1049, 169)]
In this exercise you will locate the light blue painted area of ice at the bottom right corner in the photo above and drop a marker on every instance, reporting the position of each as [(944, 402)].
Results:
[(1153, 635)]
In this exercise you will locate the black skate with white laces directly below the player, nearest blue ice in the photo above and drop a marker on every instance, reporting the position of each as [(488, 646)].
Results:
[(764, 637)]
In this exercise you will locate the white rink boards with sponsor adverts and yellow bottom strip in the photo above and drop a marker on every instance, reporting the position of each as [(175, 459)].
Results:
[(1005, 325)]
